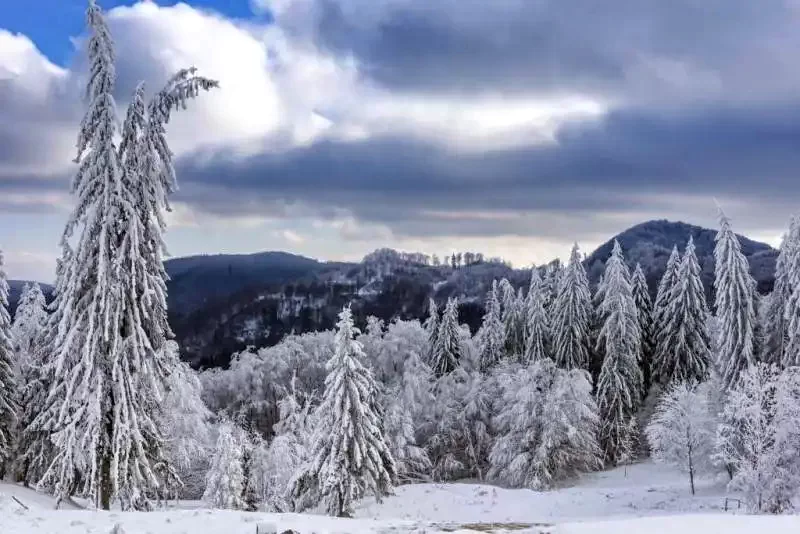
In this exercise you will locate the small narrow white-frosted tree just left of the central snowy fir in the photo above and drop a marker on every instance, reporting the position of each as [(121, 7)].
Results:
[(225, 480)]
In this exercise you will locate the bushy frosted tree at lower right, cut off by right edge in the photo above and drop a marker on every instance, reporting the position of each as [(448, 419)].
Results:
[(758, 437)]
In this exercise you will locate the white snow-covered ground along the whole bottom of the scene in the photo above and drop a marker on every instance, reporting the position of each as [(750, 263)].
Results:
[(643, 498)]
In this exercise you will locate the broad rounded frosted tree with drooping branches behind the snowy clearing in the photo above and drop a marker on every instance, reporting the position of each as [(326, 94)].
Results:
[(547, 427)]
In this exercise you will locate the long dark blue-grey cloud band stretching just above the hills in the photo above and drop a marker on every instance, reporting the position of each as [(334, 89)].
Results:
[(631, 162)]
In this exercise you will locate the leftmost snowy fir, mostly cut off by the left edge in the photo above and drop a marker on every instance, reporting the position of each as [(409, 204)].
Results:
[(8, 386)]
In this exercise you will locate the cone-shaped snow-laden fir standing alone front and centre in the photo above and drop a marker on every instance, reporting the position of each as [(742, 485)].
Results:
[(350, 457)]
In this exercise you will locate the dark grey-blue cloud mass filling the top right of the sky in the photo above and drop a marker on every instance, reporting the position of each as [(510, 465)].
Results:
[(631, 47)]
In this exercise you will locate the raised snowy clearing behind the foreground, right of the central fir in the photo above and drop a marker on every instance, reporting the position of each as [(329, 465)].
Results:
[(637, 490)]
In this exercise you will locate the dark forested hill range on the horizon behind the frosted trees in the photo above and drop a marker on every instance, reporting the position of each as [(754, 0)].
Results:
[(220, 304)]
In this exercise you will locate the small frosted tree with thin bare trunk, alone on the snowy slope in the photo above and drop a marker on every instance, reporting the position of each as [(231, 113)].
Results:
[(682, 430)]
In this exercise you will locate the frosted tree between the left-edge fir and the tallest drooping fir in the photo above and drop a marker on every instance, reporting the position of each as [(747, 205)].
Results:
[(28, 332)]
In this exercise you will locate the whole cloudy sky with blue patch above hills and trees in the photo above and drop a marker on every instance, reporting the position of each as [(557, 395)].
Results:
[(511, 127)]
